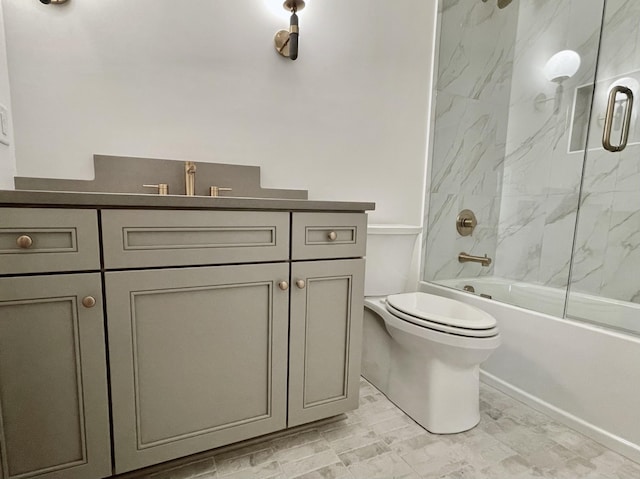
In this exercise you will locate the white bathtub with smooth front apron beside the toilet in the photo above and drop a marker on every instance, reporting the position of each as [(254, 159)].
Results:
[(581, 374)]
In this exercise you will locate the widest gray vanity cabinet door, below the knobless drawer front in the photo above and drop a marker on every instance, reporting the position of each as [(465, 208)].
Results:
[(198, 358)]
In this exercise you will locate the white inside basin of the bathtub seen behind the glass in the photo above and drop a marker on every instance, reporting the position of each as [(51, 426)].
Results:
[(620, 315)]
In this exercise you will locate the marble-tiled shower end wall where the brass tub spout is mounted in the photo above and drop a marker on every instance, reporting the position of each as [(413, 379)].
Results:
[(470, 131)]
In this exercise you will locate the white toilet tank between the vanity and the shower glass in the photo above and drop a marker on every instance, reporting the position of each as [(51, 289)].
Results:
[(392, 257)]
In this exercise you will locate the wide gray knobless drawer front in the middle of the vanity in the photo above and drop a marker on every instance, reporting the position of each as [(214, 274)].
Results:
[(143, 238)]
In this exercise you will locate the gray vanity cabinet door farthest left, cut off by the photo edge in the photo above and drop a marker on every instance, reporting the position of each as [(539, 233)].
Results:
[(54, 414)]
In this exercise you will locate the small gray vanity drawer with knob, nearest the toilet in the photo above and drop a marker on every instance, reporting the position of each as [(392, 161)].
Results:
[(328, 235)]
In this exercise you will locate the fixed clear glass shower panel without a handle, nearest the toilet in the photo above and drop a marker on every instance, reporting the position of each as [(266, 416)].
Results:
[(512, 101)]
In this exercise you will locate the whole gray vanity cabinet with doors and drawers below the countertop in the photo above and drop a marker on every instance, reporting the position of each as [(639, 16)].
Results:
[(208, 343)]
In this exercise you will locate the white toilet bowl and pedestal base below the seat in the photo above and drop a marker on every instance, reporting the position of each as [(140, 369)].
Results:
[(432, 376)]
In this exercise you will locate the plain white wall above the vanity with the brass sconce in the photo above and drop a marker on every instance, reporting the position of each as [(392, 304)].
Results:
[(200, 80)]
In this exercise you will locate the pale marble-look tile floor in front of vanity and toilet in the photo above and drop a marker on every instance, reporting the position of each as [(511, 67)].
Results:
[(380, 441)]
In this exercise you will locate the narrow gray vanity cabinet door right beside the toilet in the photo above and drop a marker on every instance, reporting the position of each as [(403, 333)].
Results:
[(325, 338)]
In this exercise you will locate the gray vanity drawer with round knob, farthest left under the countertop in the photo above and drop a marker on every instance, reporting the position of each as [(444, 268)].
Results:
[(40, 240)]
